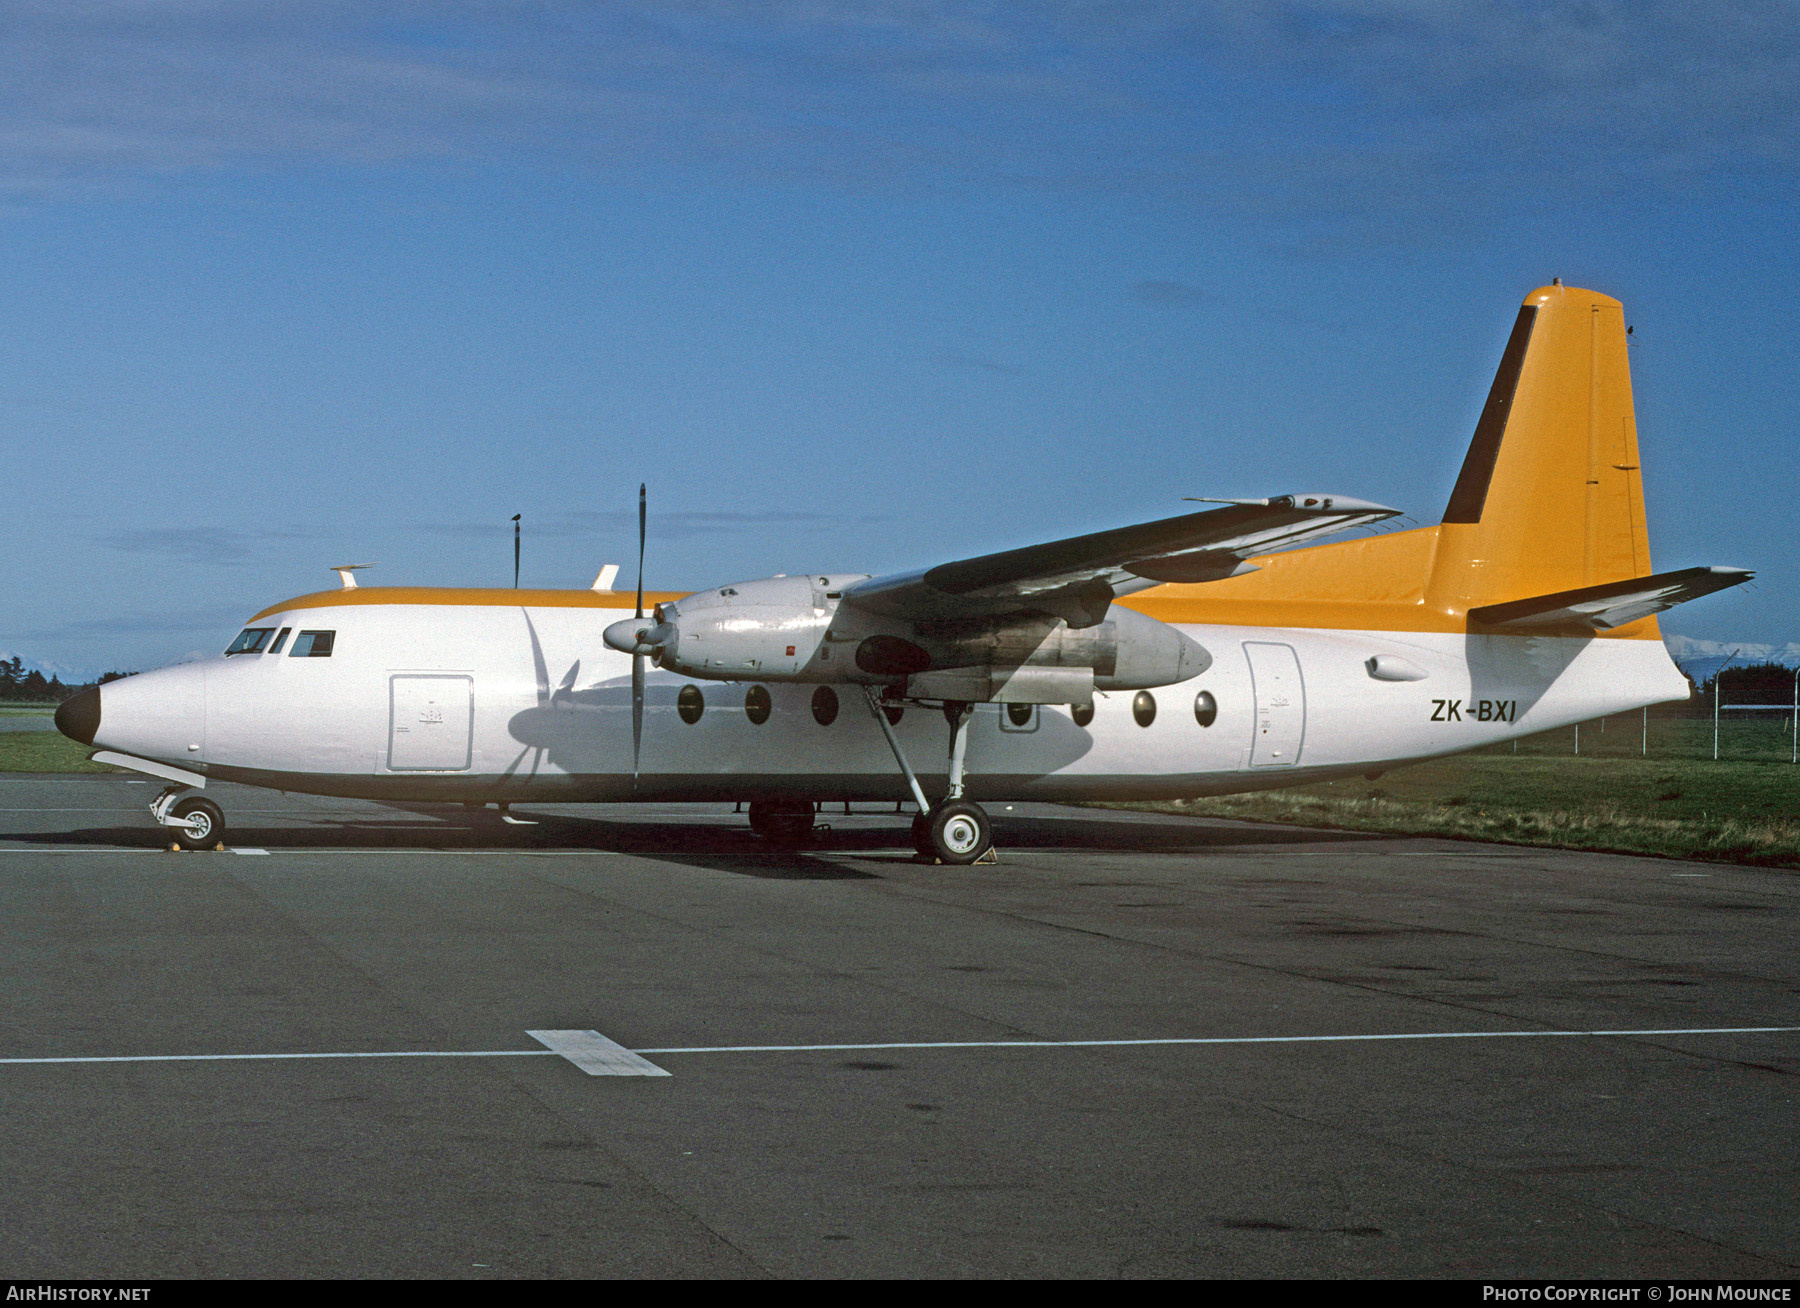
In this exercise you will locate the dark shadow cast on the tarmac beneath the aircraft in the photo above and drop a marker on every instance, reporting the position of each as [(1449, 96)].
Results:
[(708, 845)]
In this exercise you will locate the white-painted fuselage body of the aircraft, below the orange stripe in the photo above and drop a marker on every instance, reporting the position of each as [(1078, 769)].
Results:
[(487, 704)]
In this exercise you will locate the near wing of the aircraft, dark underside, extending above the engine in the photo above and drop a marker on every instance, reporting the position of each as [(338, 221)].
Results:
[(1079, 578)]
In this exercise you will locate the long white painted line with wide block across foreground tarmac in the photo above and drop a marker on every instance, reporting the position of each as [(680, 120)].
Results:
[(589, 1050)]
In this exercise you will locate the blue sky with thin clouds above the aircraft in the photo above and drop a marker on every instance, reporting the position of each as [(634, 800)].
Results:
[(854, 287)]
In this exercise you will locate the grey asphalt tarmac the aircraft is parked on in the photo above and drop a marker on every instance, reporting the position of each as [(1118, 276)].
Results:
[(413, 931)]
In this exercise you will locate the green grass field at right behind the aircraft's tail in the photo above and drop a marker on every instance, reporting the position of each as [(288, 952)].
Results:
[(1677, 802)]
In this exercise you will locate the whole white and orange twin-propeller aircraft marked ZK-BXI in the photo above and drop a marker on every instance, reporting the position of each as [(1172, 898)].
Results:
[(1142, 663)]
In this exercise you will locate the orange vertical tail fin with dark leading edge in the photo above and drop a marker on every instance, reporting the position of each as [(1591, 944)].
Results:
[(1551, 496)]
